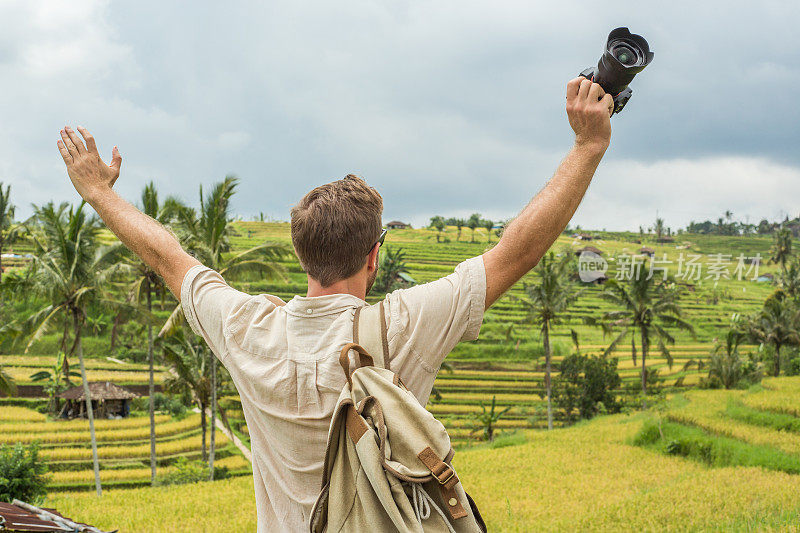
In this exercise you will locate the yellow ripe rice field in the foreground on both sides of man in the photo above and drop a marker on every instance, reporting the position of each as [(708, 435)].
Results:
[(587, 477)]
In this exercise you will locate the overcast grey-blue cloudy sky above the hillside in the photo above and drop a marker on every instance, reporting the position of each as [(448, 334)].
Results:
[(447, 107)]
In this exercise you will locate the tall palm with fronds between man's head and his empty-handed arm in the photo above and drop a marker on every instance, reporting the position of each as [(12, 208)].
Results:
[(207, 235)]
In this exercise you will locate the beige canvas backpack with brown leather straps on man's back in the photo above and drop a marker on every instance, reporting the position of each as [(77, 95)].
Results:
[(388, 460)]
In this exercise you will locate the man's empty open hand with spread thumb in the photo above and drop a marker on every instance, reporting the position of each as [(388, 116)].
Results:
[(89, 174)]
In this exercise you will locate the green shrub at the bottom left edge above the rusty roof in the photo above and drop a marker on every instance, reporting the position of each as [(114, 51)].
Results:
[(22, 474)]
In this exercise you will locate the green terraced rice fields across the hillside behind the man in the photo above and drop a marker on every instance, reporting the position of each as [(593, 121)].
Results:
[(505, 362)]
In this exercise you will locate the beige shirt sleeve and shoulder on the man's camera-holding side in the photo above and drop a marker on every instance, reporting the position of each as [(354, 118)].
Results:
[(430, 319)]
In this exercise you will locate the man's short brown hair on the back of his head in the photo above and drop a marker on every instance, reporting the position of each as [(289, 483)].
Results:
[(334, 228)]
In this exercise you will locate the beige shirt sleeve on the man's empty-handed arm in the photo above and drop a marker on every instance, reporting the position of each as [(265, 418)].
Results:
[(207, 303)]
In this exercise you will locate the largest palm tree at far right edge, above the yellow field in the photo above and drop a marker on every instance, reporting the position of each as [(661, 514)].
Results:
[(776, 325)]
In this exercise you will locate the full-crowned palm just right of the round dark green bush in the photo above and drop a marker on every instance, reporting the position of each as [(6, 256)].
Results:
[(646, 306)]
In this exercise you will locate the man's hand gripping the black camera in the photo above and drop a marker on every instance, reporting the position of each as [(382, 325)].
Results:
[(589, 110)]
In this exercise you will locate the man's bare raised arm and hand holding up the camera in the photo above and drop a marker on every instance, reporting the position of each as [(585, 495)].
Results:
[(528, 237)]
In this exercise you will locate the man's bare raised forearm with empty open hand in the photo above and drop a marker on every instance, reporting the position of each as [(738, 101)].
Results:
[(148, 239)]
